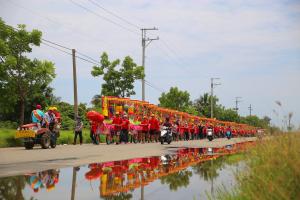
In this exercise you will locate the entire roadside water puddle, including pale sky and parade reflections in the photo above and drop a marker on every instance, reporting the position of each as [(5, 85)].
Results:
[(189, 173)]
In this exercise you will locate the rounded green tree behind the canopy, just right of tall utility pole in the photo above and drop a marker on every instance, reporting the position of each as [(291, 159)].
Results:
[(175, 99)]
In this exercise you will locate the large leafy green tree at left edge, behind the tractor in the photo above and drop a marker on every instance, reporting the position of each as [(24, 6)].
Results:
[(22, 79)]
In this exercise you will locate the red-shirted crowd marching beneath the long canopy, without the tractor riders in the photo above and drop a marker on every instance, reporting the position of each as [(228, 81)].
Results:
[(148, 130)]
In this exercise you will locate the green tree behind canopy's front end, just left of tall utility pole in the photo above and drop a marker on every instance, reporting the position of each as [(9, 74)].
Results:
[(118, 82)]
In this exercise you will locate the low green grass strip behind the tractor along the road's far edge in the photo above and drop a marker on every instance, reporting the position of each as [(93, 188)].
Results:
[(7, 138)]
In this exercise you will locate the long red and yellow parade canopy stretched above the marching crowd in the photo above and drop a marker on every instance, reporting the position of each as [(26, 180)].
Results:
[(142, 108)]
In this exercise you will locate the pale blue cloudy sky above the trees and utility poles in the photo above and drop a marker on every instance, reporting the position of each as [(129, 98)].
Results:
[(253, 46)]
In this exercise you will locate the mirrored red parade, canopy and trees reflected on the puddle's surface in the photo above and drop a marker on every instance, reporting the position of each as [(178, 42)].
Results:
[(121, 179)]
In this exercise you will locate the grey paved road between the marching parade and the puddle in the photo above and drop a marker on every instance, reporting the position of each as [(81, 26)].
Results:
[(15, 161)]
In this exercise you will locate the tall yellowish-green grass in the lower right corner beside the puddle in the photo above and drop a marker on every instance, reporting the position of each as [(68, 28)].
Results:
[(272, 171)]
